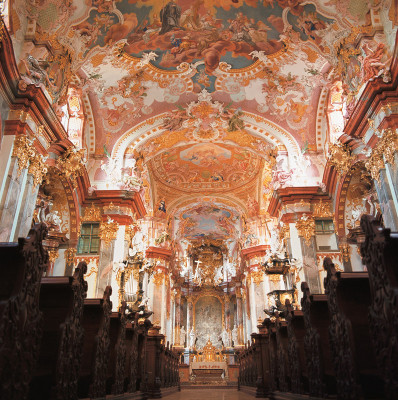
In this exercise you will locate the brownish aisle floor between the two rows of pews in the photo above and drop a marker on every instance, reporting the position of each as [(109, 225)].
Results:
[(209, 394)]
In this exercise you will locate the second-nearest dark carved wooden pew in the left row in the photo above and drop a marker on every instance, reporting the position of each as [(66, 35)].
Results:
[(61, 302)]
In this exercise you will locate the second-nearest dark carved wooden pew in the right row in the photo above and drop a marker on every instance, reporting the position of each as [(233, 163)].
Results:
[(352, 351)]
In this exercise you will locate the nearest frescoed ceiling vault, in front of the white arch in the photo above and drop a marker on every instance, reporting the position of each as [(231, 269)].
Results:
[(136, 59)]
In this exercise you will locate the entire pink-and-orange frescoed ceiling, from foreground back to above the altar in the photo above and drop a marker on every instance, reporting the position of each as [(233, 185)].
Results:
[(224, 100)]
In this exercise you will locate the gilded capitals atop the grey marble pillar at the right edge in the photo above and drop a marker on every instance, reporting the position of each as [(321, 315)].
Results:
[(383, 153)]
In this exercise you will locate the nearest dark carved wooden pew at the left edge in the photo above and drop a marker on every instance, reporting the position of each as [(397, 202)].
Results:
[(21, 267)]
